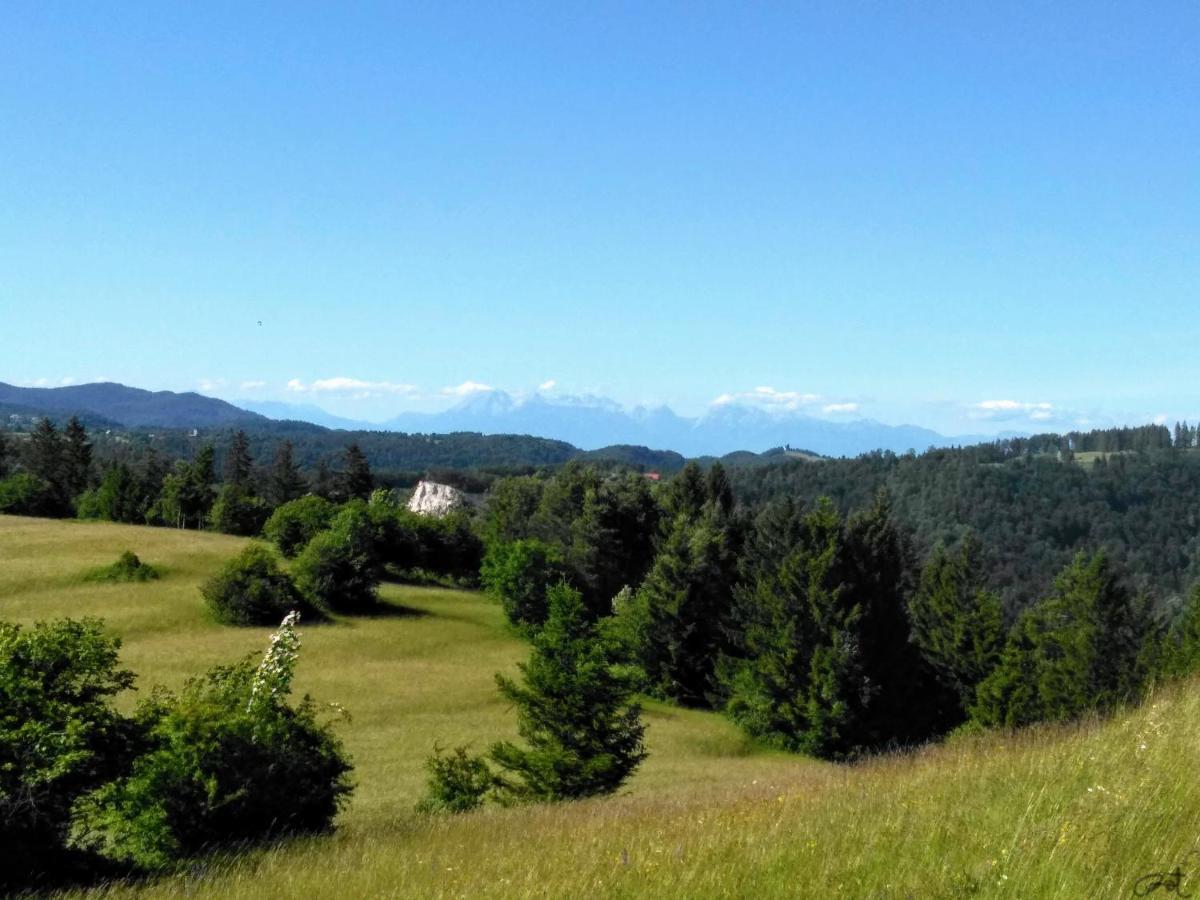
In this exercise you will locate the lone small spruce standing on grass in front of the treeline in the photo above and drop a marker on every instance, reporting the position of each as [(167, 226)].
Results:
[(575, 711)]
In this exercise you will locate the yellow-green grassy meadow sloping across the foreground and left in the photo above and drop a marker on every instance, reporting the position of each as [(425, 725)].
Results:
[(1083, 812)]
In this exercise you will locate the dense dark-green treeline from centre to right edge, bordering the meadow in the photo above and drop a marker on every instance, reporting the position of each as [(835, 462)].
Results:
[(819, 632)]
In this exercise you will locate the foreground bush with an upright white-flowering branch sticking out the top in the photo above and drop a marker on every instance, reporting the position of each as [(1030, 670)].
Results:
[(230, 761)]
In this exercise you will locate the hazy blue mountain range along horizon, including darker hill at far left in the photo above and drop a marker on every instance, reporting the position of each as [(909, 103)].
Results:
[(589, 423)]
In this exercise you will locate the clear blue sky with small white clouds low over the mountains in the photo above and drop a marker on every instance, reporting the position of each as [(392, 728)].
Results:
[(971, 217)]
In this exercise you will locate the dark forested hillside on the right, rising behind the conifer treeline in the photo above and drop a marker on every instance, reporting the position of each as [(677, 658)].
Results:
[(1034, 507)]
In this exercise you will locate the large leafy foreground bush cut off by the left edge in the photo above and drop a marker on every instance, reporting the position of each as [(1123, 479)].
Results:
[(59, 737)]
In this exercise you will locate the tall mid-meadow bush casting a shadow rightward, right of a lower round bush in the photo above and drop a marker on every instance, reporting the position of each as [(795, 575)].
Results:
[(340, 569)]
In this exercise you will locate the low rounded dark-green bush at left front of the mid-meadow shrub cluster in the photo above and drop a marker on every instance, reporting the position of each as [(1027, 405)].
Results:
[(253, 591)]
